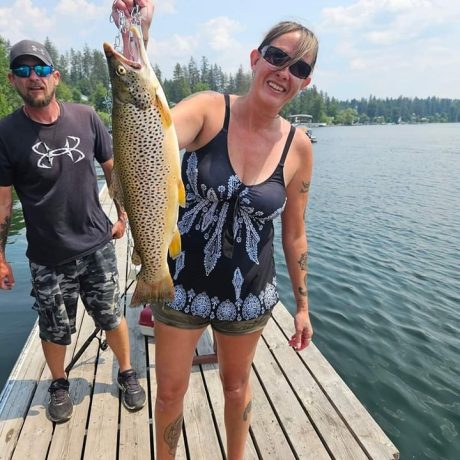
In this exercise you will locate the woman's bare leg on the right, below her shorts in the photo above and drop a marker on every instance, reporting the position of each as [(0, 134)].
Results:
[(235, 356)]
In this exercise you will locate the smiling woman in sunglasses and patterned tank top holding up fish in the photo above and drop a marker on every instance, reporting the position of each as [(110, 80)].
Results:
[(244, 165)]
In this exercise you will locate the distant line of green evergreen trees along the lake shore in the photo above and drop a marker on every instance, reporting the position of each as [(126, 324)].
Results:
[(85, 79)]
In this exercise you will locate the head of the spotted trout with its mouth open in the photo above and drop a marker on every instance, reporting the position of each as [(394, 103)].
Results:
[(133, 81)]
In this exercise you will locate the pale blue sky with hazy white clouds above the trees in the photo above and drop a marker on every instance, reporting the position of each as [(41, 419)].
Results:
[(383, 48)]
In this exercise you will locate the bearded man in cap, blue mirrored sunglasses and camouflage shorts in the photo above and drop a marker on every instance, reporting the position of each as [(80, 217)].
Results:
[(47, 152)]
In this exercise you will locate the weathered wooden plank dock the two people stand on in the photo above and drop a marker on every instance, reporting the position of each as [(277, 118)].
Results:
[(301, 409)]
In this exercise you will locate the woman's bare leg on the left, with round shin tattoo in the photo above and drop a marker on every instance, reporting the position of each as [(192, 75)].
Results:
[(174, 351)]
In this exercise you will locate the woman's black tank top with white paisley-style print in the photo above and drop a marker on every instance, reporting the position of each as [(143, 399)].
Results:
[(226, 269)]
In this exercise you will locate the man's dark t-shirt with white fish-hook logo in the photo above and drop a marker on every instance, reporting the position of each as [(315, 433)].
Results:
[(52, 170)]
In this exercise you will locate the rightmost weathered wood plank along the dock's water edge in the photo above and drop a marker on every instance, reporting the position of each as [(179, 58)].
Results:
[(364, 428)]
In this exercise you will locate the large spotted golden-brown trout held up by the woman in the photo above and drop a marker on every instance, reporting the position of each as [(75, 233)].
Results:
[(146, 177)]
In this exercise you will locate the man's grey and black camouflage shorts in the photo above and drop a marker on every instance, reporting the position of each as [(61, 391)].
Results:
[(94, 278)]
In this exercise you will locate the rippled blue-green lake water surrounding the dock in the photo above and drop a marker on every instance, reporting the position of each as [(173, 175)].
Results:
[(384, 278)]
